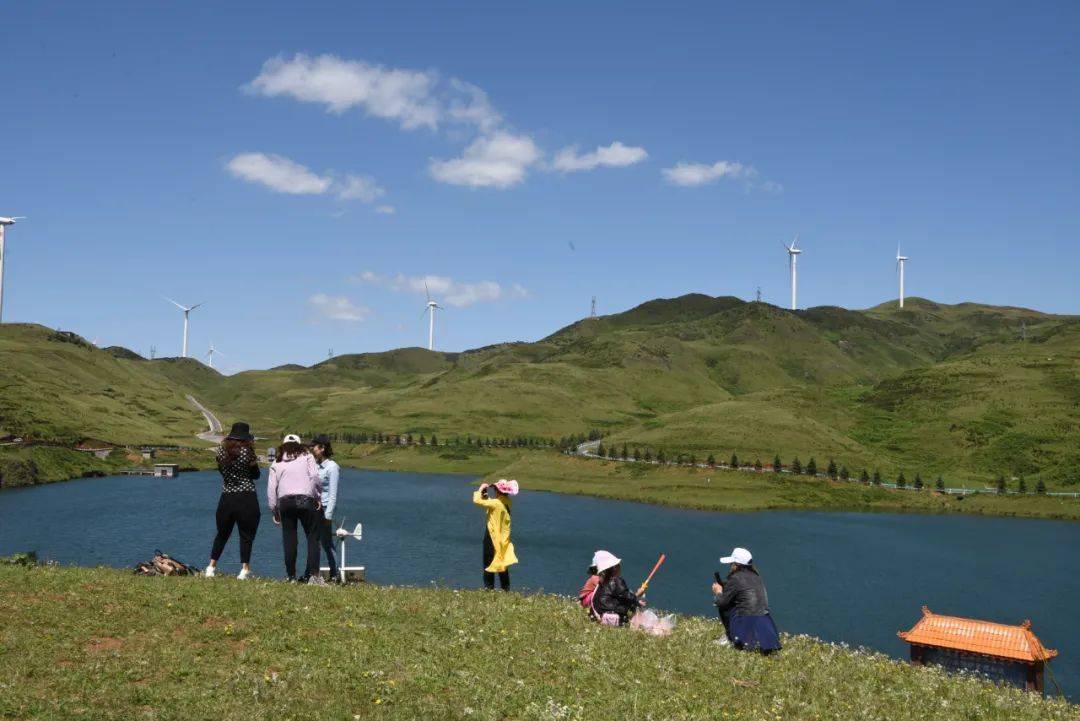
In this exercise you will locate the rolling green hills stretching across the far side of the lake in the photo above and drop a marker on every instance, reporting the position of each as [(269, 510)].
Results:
[(967, 391)]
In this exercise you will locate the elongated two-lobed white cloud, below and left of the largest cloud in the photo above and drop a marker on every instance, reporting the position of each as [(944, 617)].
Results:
[(287, 176)]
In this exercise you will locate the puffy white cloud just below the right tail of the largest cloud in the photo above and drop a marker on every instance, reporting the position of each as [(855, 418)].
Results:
[(497, 161)]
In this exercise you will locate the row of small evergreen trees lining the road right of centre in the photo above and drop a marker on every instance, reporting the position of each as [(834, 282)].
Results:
[(796, 468)]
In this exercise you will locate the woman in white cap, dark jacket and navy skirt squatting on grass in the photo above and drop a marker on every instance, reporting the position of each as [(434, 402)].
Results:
[(744, 605)]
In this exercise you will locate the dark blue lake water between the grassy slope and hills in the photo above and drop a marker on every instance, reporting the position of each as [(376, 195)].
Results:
[(854, 578)]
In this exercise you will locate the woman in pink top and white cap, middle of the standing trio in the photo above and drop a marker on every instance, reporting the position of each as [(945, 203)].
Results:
[(295, 495)]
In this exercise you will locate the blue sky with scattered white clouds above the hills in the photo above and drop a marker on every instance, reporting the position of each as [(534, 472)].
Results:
[(302, 168)]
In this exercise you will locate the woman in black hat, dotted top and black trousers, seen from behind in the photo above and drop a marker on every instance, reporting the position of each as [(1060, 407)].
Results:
[(239, 506)]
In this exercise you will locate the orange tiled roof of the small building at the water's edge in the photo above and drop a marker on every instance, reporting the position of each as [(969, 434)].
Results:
[(984, 637)]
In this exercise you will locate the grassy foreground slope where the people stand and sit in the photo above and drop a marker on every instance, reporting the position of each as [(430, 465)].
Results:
[(97, 644)]
